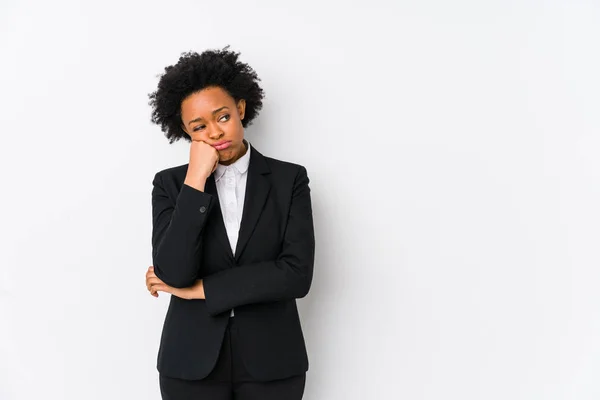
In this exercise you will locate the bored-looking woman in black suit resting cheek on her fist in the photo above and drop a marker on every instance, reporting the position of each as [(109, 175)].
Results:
[(232, 241)]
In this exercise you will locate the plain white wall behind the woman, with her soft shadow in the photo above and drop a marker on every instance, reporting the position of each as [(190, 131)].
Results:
[(453, 154)]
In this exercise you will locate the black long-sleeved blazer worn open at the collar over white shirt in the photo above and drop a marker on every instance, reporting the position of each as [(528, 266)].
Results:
[(272, 267)]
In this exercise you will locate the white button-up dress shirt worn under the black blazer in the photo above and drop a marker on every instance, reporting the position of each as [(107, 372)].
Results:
[(231, 188)]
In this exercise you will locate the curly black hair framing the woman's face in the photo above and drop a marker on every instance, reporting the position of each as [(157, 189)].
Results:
[(194, 72)]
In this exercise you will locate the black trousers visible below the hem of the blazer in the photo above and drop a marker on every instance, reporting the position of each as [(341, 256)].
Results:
[(229, 380)]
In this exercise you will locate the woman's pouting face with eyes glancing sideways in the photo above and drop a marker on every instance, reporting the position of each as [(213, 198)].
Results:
[(212, 116)]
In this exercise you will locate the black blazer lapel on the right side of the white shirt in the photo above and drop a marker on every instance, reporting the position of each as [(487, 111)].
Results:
[(257, 190)]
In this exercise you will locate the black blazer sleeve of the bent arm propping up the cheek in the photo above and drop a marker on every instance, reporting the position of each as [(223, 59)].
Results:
[(176, 233)]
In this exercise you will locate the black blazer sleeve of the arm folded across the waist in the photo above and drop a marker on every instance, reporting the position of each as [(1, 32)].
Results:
[(287, 277)]
